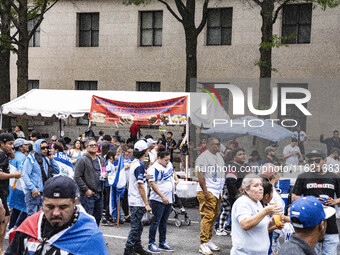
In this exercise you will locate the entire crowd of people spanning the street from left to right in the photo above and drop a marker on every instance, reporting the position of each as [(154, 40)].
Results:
[(56, 187)]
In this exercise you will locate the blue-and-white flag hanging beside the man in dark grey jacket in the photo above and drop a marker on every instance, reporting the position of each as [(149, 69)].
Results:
[(118, 187)]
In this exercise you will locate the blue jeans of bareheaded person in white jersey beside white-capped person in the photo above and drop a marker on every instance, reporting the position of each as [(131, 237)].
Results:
[(162, 213)]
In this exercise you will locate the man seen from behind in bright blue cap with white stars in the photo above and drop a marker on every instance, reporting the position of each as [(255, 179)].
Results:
[(308, 216)]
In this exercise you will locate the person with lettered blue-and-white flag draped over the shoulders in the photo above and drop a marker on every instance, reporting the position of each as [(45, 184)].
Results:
[(62, 159)]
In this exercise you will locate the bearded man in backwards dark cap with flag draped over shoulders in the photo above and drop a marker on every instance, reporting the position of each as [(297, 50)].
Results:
[(62, 227)]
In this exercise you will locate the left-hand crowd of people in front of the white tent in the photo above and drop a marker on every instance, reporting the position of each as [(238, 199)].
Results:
[(138, 173)]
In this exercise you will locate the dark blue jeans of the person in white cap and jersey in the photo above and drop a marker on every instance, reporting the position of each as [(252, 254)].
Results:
[(136, 227)]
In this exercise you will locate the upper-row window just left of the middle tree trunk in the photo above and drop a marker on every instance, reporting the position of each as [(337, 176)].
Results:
[(151, 26)]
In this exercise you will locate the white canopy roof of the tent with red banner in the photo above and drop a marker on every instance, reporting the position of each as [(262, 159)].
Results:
[(76, 103)]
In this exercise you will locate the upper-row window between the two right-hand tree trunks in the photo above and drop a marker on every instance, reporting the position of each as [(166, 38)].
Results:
[(219, 26)]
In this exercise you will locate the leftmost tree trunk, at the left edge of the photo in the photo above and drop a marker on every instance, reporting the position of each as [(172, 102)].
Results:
[(5, 83)]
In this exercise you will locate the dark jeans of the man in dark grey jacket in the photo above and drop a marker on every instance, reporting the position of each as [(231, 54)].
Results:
[(93, 205)]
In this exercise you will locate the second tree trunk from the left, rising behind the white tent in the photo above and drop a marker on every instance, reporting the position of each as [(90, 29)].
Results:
[(22, 62)]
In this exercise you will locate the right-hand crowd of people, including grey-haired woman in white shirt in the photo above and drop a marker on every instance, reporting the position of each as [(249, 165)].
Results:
[(243, 200)]
